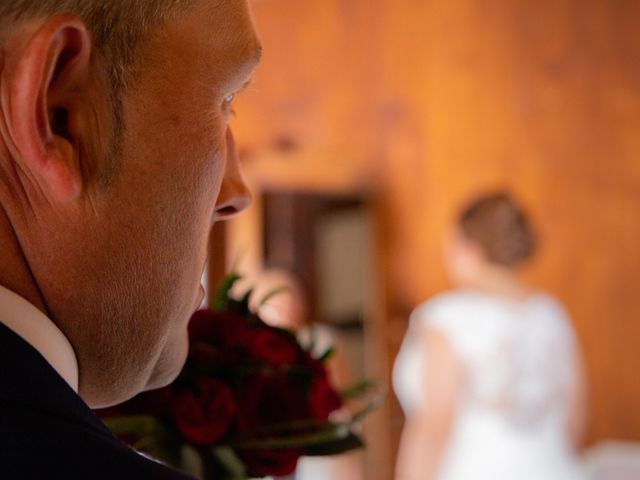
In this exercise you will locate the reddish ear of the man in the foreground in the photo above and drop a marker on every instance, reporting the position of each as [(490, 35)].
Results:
[(45, 77)]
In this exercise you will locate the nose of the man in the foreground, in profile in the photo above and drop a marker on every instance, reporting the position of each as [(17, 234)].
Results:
[(234, 195)]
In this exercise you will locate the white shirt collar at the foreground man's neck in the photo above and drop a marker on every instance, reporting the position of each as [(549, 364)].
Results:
[(37, 329)]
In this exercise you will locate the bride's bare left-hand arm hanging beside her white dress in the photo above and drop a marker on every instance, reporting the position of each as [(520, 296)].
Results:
[(426, 431)]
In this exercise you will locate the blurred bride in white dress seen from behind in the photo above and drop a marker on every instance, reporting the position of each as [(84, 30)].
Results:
[(489, 375)]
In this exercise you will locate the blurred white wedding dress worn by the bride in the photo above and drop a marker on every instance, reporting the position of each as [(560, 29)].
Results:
[(518, 360)]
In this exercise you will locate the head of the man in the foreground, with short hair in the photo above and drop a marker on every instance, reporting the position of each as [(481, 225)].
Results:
[(115, 157)]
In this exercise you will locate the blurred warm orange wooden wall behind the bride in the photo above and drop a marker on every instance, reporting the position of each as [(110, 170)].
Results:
[(427, 102)]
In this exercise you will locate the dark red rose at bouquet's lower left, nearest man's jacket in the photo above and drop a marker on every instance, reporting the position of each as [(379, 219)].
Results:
[(204, 417)]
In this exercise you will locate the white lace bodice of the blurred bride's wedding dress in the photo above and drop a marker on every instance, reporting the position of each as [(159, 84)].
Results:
[(518, 357)]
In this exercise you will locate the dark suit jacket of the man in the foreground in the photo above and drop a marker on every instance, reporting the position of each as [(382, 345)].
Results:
[(48, 432)]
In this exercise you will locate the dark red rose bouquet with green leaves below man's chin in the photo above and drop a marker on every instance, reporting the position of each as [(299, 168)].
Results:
[(250, 401)]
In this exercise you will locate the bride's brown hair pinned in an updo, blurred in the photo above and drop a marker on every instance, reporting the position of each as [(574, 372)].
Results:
[(499, 225)]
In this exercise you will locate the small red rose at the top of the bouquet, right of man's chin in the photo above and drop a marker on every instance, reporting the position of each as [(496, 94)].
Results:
[(274, 347)]
